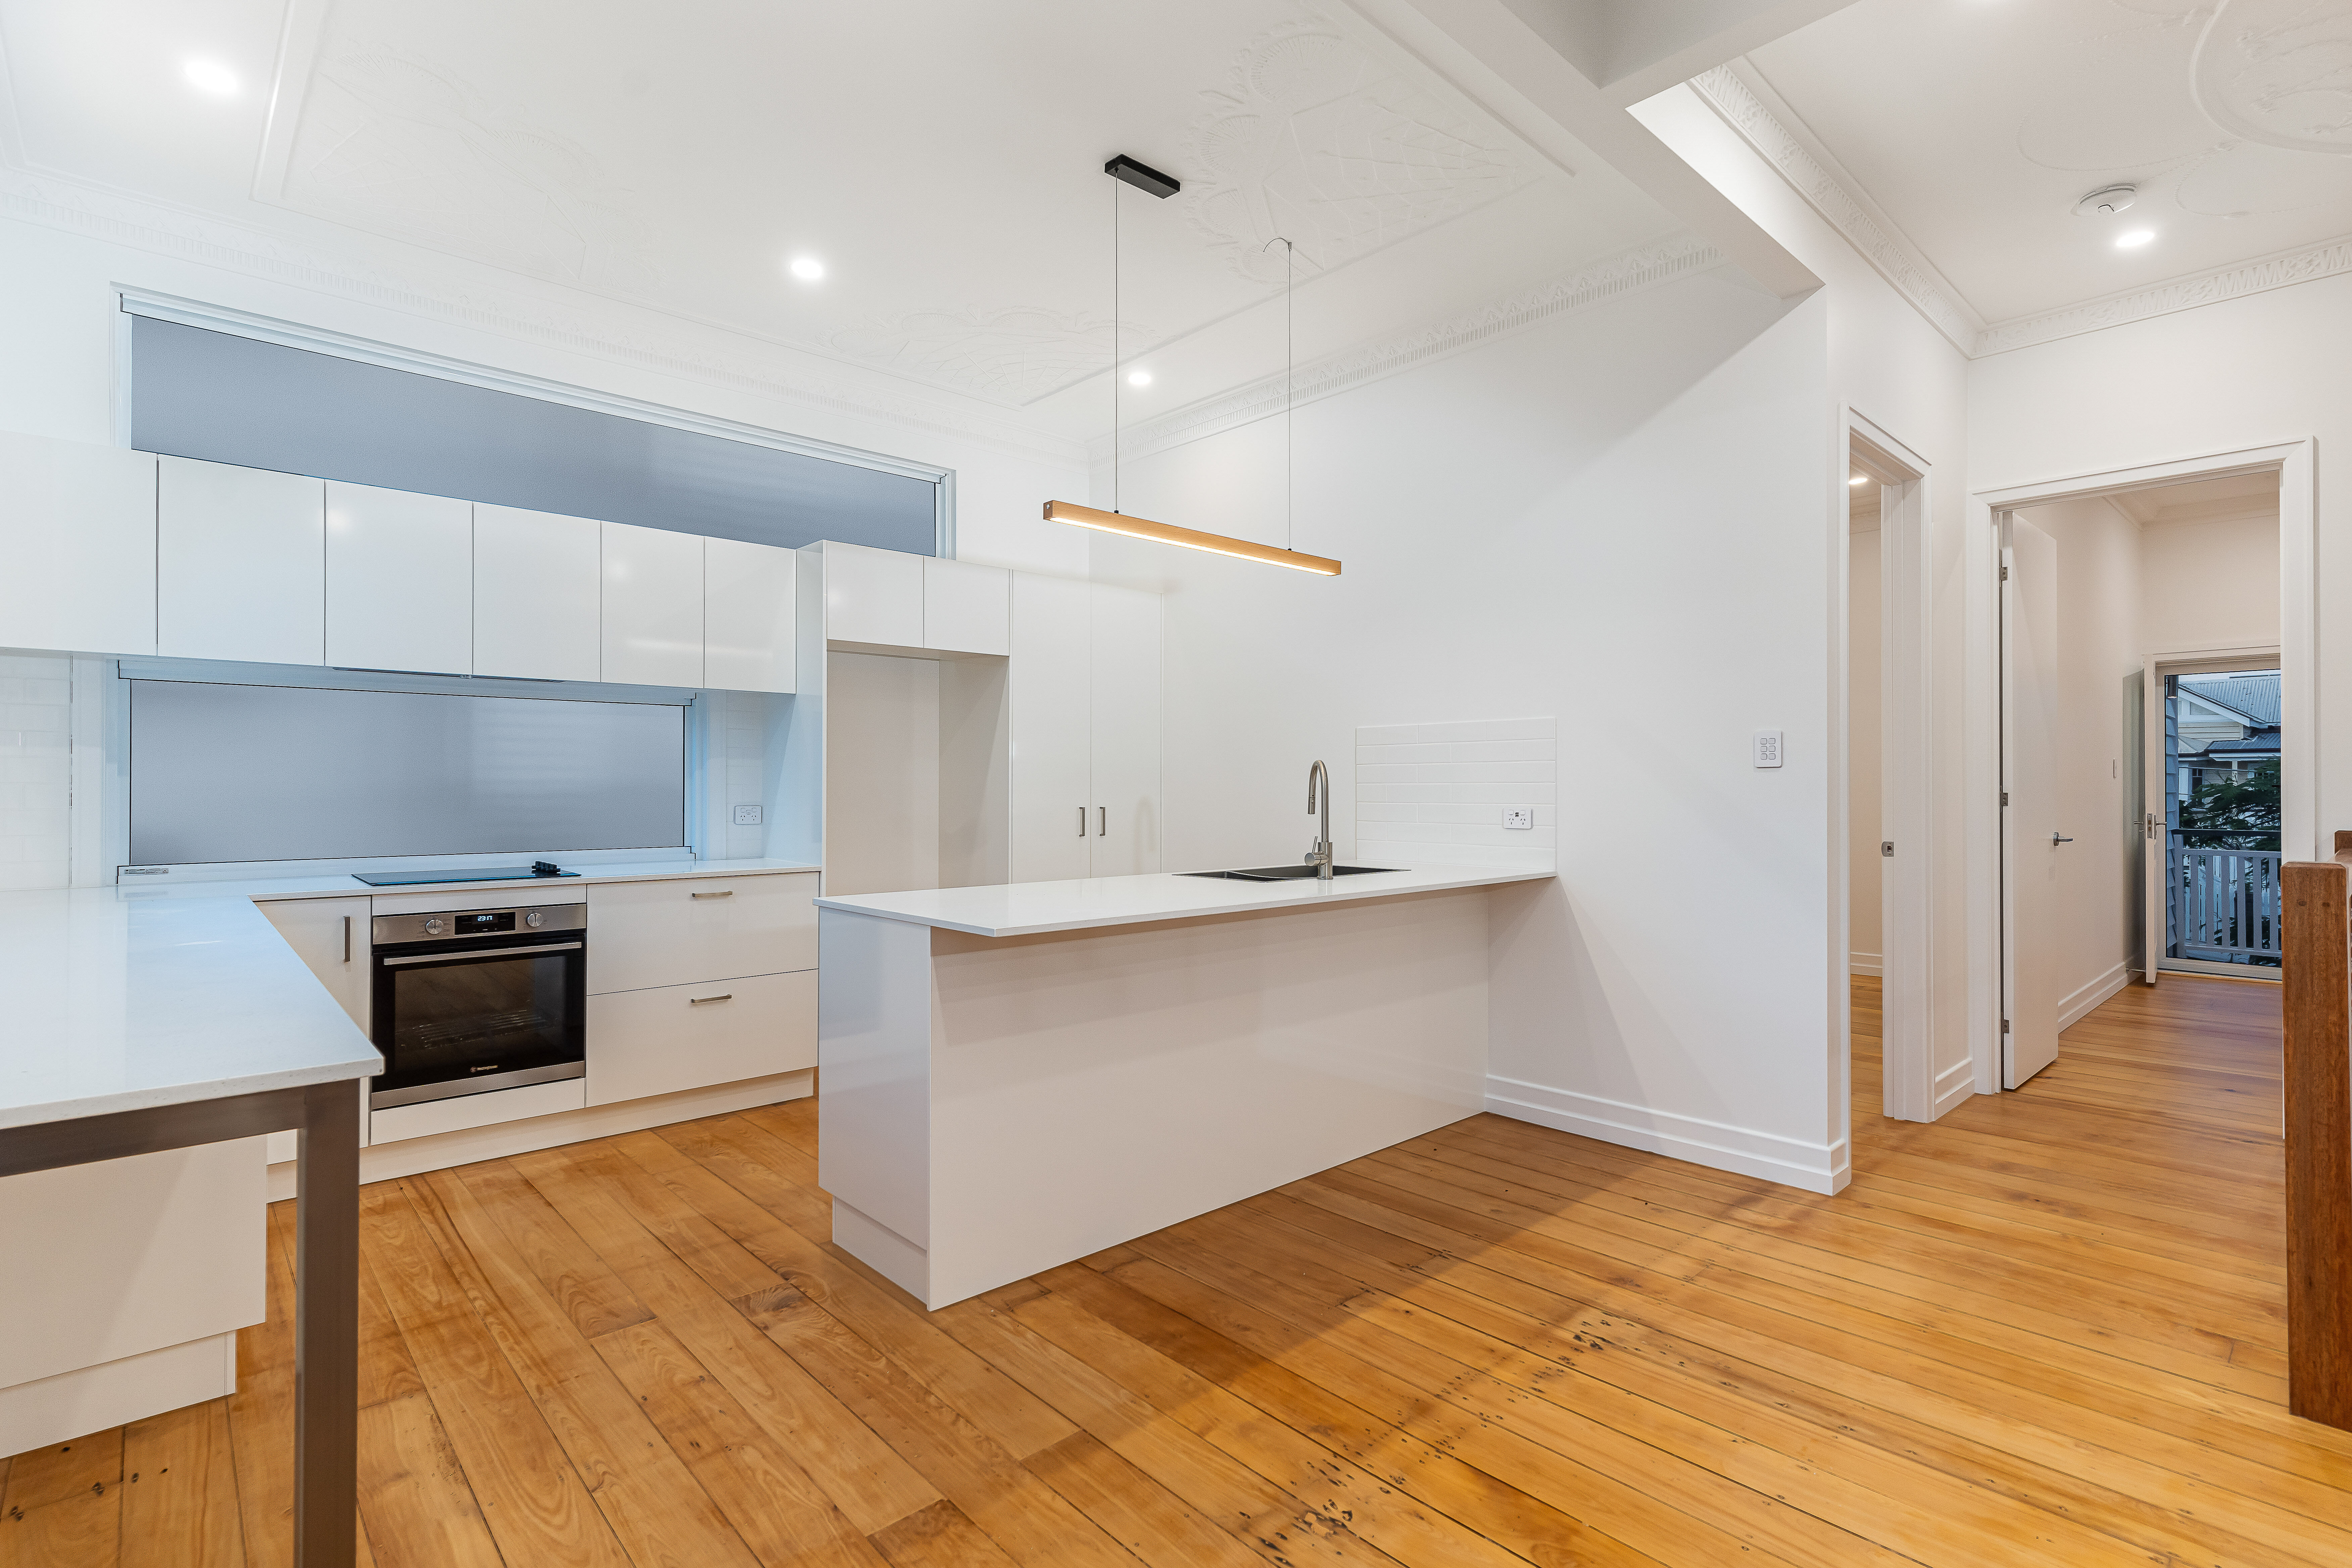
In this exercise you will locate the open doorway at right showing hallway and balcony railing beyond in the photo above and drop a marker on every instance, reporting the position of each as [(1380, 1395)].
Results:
[(2141, 749)]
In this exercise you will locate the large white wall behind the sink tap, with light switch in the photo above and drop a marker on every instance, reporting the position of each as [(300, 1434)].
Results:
[(1617, 516)]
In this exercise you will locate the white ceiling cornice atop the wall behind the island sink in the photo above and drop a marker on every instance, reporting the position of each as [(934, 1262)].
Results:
[(1633, 272)]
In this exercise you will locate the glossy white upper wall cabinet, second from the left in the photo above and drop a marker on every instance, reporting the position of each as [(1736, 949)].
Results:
[(241, 565)]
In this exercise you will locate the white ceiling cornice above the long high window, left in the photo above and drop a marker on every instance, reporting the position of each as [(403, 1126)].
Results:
[(521, 309)]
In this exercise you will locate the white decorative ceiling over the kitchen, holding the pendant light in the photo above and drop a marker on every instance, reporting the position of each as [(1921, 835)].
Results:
[(942, 161)]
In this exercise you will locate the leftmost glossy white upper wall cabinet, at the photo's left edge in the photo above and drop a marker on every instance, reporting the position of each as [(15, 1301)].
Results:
[(76, 547)]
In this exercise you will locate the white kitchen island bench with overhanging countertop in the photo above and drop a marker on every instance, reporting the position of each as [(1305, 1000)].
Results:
[(1022, 1076)]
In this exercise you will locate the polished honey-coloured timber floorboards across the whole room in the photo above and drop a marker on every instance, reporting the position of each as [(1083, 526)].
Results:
[(2047, 1329)]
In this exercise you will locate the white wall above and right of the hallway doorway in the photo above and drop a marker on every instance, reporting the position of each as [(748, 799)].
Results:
[(2269, 368)]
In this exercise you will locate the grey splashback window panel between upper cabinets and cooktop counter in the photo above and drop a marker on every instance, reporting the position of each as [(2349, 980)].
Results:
[(323, 775)]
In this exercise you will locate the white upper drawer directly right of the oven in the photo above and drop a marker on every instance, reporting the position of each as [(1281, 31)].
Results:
[(693, 930)]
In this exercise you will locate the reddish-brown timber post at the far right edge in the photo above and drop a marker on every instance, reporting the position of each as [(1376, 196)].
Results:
[(2318, 1028)]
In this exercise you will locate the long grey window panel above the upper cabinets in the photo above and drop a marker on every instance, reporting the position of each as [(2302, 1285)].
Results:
[(225, 398)]
